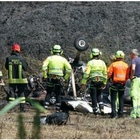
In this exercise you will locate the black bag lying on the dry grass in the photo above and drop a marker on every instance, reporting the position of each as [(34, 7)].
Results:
[(57, 118)]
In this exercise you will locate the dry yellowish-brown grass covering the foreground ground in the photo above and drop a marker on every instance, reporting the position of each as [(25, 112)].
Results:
[(80, 126)]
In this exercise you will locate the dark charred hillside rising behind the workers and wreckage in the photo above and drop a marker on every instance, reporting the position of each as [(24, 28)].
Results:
[(37, 26)]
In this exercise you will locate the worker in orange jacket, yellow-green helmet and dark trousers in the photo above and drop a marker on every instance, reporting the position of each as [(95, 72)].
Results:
[(118, 73)]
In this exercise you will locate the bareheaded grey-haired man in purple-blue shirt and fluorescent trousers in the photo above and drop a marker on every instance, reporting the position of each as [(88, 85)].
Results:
[(135, 83)]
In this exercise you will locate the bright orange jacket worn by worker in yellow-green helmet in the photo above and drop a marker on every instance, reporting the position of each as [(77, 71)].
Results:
[(118, 71)]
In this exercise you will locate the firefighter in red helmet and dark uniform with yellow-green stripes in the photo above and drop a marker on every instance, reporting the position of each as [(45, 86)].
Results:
[(16, 65)]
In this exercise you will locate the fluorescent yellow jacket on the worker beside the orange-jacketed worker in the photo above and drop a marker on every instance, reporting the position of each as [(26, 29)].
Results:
[(95, 70)]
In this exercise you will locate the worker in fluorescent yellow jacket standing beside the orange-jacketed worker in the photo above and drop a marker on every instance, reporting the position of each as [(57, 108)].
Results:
[(96, 75)]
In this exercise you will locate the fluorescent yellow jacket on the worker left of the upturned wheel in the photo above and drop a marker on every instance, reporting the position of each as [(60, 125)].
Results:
[(56, 65)]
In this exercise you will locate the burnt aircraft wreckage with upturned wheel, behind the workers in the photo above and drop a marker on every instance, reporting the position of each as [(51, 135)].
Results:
[(72, 98)]
